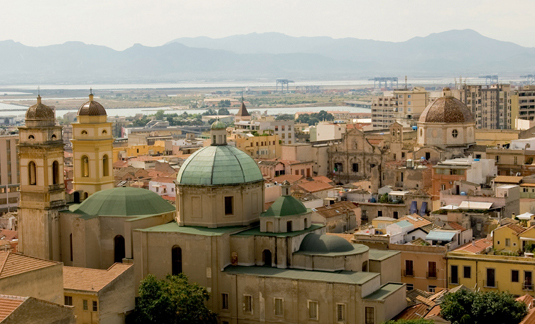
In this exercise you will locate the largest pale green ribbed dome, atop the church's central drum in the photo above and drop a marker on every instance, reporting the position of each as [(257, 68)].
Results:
[(219, 165)]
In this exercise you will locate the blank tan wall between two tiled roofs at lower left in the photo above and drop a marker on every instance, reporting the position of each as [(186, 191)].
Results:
[(45, 283)]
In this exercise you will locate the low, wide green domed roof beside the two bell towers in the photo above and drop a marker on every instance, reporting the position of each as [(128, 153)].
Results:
[(124, 201)]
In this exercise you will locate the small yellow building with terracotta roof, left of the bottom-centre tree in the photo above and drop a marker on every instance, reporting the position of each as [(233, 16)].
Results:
[(100, 296)]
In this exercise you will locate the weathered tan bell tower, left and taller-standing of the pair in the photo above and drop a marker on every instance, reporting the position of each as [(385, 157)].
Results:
[(42, 193)]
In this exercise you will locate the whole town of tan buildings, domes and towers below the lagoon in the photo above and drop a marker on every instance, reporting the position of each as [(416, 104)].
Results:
[(354, 218)]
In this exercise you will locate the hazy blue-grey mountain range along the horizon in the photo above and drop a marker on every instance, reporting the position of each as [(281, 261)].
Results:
[(264, 56)]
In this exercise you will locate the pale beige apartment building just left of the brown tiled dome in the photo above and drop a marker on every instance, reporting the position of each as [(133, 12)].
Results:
[(401, 105)]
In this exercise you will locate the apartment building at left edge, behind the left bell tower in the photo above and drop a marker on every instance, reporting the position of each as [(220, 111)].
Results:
[(9, 173)]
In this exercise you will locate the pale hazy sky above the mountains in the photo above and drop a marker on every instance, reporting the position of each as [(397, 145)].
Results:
[(121, 23)]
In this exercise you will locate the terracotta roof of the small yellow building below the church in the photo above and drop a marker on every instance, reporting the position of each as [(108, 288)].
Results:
[(85, 279)]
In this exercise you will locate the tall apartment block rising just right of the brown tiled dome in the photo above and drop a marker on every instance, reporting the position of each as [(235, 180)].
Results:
[(490, 105)]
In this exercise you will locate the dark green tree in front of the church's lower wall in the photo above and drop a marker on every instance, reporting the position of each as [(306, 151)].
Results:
[(172, 300)]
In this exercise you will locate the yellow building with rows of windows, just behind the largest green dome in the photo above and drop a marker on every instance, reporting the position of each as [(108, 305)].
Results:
[(259, 146)]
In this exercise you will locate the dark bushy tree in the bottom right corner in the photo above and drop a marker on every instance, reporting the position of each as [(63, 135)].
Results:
[(467, 307)]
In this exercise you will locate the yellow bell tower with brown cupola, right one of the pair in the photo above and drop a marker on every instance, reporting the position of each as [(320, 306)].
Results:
[(92, 148)]
